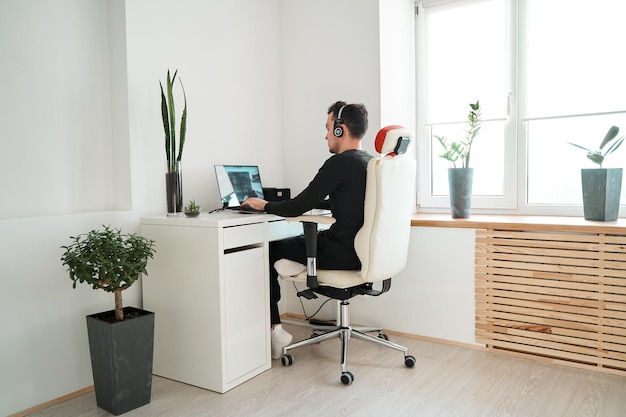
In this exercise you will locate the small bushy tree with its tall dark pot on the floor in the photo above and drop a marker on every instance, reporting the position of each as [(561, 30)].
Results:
[(121, 341)]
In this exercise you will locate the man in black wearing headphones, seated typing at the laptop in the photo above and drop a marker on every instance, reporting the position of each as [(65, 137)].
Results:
[(342, 178)]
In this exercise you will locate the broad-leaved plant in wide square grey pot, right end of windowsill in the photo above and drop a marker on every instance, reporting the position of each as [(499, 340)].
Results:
[(602, 187)]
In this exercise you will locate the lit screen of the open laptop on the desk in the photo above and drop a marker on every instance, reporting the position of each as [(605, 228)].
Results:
[(235, 183)]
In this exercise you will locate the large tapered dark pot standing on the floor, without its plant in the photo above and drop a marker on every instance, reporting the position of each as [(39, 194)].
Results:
[(121, 359)]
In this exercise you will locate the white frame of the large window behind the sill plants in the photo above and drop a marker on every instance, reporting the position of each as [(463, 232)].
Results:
[(514, 199)]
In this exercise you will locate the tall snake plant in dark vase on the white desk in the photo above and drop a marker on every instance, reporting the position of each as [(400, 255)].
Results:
[(173, 176)]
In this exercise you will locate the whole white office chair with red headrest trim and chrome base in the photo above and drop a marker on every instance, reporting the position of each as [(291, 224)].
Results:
[(381, 244)]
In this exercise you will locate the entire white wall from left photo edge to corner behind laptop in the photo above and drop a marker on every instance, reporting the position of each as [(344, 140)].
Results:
[(83, 146)]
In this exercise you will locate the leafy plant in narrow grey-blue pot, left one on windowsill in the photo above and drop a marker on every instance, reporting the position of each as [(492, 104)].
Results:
[(460, 178)]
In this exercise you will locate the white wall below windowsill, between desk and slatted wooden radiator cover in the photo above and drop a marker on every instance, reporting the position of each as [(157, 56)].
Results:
[(432, 297)]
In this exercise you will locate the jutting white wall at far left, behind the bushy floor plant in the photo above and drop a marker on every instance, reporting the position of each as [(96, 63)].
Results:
[(55, 181)]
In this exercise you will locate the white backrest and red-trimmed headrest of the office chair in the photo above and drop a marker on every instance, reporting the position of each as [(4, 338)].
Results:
[(382, 242)]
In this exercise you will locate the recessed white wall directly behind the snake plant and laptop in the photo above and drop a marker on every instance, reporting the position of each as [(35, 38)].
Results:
[(227, 57)]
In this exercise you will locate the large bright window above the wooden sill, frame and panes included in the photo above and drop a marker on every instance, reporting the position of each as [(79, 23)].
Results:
[(540, 86)]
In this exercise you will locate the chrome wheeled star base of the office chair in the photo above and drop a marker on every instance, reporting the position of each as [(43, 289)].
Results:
[(344, 331)]
